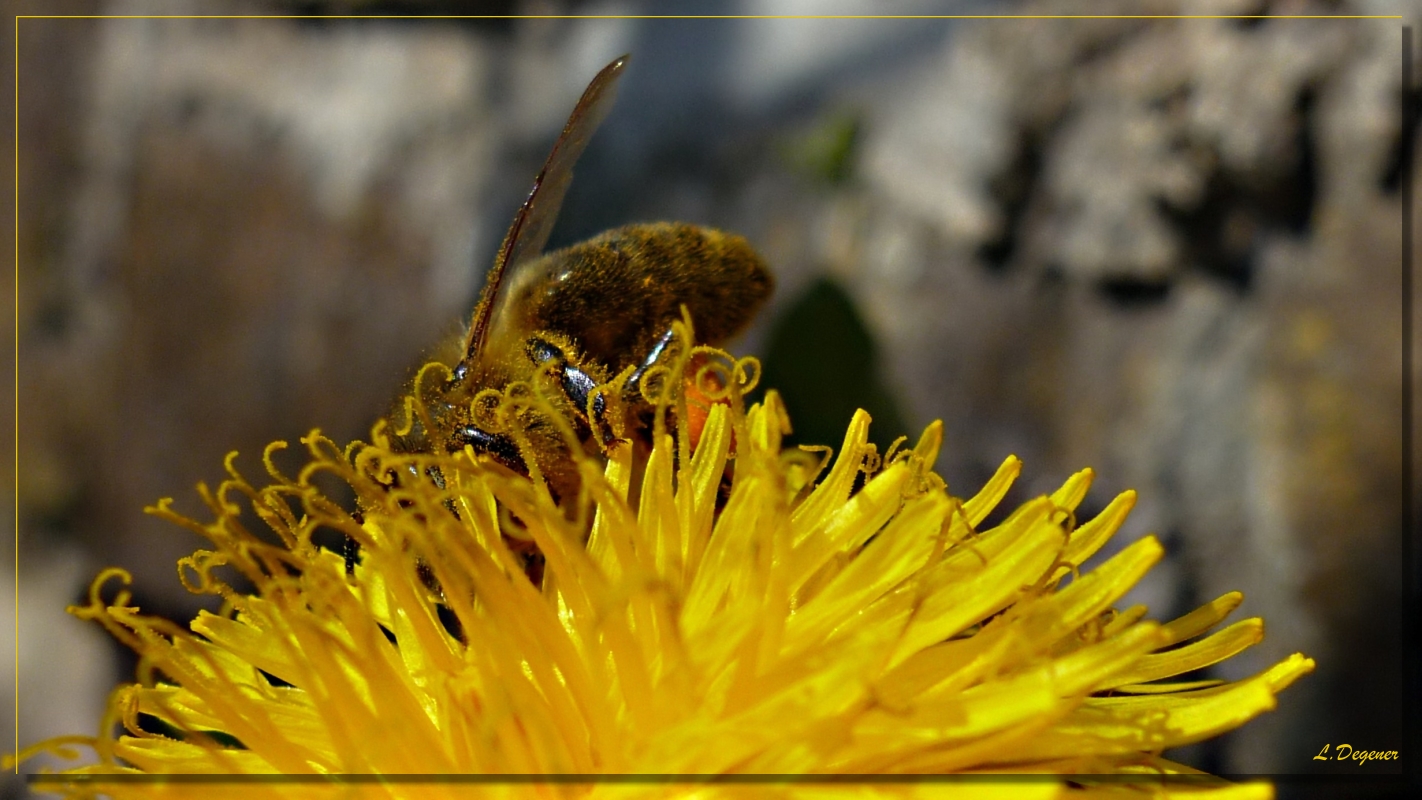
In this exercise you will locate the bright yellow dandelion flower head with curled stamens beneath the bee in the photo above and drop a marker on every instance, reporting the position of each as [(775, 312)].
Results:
[(786, 626)]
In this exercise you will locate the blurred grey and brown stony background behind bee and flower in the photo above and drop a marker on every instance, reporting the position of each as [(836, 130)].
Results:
[(1164, 249)]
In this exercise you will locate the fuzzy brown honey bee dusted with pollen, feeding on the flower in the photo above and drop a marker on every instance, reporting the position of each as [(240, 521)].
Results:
[(591, 320)]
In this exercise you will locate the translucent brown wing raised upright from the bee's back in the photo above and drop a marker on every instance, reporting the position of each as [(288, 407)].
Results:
[(535, 220)]
